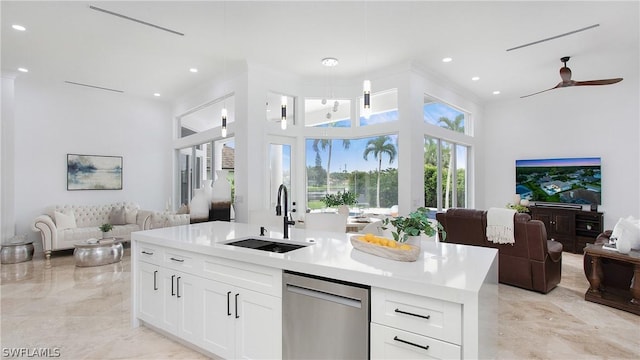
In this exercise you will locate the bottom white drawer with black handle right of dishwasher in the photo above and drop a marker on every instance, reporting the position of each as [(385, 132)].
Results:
[(390, 343)]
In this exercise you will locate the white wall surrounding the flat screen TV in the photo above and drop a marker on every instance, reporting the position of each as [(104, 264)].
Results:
[(599, 121)]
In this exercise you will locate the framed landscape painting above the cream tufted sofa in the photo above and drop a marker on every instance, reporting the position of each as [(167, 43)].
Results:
[(94, 172)]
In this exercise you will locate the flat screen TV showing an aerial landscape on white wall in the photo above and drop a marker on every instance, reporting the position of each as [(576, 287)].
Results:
[(564, 180)]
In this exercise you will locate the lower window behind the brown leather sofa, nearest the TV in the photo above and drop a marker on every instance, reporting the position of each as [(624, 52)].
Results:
[(445, 174)]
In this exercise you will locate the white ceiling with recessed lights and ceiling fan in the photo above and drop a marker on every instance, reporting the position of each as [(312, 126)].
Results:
[(68, 41)]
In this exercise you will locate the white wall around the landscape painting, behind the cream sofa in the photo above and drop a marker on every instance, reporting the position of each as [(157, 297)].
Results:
[(55, 119)]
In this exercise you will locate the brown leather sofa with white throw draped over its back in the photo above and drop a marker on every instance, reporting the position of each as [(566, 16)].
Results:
[(532, 263)]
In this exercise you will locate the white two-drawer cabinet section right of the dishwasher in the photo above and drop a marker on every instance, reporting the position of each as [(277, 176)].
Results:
[(407, 326)]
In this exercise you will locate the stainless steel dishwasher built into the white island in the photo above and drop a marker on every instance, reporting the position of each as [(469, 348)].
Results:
[(324, 318)]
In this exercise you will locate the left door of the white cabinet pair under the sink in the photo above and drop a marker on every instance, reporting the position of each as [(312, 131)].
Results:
[(218, 317)]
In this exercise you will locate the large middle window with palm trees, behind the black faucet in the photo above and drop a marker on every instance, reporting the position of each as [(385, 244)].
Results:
[(367, 167)]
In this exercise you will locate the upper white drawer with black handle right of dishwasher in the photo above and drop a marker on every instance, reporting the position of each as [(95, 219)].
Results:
[(422, 315)]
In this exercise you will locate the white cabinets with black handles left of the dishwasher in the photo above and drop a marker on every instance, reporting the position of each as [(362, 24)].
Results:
[(229, 308)]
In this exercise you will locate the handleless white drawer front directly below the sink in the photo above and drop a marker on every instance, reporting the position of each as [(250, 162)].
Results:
[(258, 278)]
